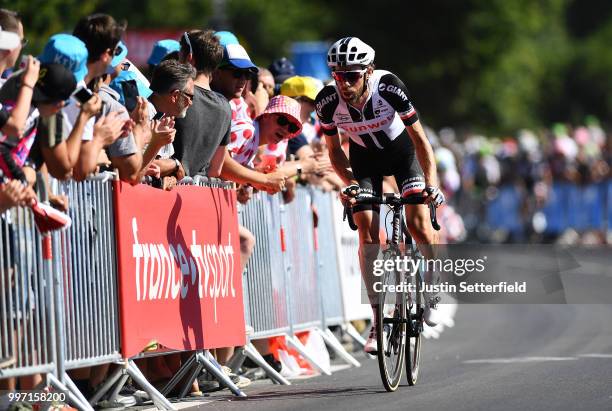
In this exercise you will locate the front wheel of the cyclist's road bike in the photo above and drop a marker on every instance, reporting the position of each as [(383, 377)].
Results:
[(391, 329)]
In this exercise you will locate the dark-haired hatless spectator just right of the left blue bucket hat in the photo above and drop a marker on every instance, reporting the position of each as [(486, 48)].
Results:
[(113, 131)]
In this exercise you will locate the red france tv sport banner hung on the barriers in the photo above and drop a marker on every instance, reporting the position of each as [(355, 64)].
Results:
[(179, 268)]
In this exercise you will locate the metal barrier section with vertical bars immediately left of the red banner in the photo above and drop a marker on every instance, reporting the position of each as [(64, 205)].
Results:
[(86, 257)]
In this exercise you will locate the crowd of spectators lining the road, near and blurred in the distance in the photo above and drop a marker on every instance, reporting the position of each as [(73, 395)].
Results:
[(202, 107)]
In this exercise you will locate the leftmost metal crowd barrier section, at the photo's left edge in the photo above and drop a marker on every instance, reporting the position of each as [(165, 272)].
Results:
[(27, 345)]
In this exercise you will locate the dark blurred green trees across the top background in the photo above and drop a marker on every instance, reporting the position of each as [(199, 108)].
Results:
[(490, 65)]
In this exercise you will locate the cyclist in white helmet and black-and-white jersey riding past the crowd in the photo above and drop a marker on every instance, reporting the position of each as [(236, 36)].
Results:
[(373, 108)]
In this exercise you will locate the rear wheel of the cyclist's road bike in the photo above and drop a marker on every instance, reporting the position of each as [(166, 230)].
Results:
[(415, 327)]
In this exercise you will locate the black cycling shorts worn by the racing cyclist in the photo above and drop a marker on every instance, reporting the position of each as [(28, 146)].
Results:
[(398, 159)]
